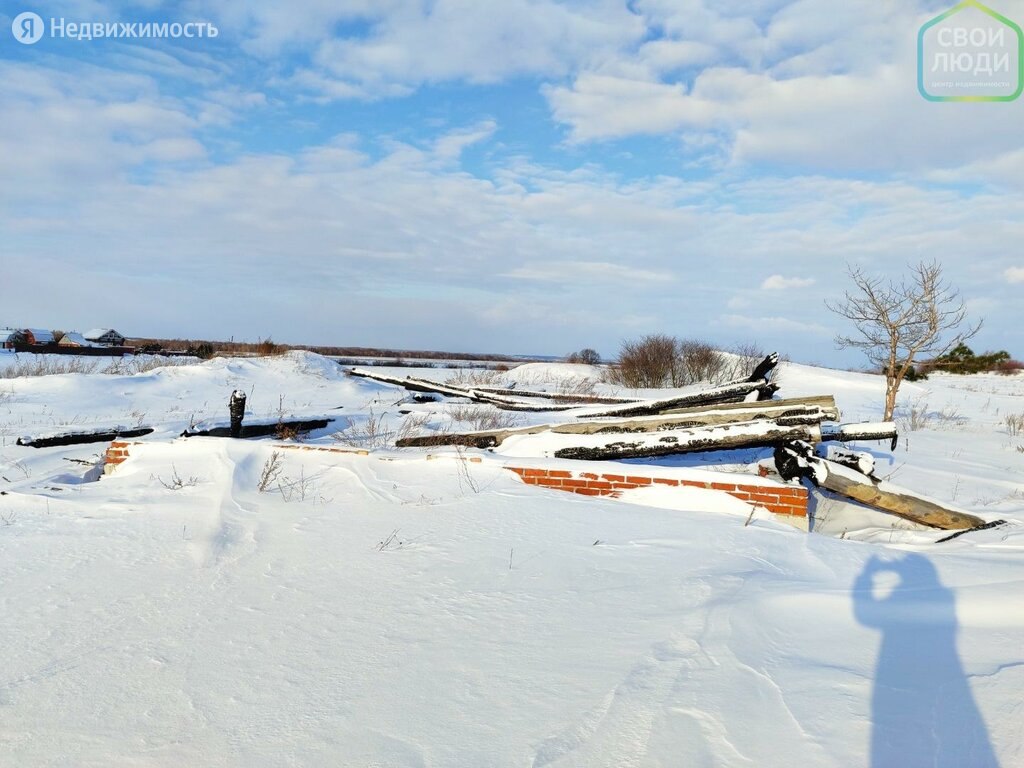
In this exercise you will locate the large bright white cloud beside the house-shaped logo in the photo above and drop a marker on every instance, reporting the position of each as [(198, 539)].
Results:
[(816, 88)]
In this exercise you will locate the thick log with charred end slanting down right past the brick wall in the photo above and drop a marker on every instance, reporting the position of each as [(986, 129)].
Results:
[(798, 460)]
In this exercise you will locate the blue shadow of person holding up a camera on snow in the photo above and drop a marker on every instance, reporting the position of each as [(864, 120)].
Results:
[(923, 711)]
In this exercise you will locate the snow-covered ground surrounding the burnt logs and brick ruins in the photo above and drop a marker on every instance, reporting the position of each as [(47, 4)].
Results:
[(389, 611)]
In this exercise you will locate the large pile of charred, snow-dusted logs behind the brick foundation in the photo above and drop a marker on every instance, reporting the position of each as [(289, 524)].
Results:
[(739, 414)]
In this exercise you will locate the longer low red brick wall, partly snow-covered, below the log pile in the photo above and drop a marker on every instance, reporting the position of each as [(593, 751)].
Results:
[(789, 500)]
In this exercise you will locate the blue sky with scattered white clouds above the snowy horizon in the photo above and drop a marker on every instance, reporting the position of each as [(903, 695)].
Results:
[(509, 176)]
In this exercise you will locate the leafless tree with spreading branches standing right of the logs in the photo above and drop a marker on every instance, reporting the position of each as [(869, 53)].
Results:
[(898, 322)]
